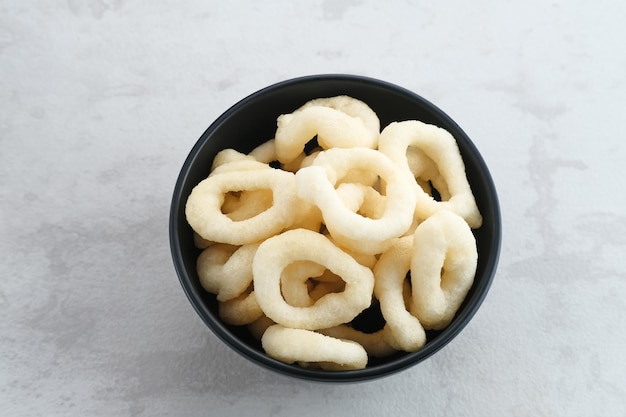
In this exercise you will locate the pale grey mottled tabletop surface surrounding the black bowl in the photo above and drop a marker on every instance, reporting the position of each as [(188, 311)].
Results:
[(101, 100)]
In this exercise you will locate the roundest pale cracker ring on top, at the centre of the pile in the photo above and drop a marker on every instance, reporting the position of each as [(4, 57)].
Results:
[(315, 184)]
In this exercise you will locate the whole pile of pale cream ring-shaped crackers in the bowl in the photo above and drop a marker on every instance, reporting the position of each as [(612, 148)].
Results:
[(312, 227)]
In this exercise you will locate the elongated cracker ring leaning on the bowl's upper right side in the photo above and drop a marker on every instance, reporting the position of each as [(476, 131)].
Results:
[(441, 147)]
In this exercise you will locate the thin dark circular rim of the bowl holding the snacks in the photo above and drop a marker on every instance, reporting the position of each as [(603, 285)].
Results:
[(222, 331)]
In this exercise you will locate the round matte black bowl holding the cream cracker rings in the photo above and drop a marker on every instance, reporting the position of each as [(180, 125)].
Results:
[(251, 122)]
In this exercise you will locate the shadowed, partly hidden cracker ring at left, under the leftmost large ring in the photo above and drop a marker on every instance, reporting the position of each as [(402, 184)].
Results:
[(226, 270)]
